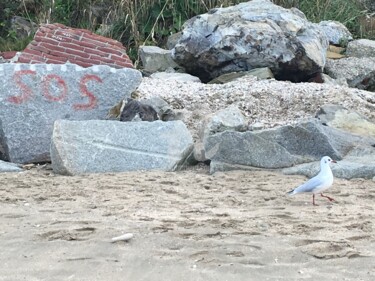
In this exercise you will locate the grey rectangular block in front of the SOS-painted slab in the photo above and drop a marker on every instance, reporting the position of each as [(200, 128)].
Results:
[(99, 146)]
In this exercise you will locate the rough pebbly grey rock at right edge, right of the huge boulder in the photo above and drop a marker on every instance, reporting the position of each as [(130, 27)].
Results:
[(358, 72)]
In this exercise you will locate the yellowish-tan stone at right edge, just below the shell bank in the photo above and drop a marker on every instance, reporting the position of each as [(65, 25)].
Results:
[(339, 117)]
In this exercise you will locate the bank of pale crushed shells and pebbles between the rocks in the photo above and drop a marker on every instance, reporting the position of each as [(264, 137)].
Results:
[(265, 103)]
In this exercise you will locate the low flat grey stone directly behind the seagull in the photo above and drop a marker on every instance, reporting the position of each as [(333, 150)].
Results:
[(348, 168)]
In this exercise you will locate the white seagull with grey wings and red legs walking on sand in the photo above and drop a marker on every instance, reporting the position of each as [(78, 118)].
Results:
[(322, 181)]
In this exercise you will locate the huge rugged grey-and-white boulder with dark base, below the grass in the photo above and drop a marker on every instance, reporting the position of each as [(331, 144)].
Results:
[(251, 35)]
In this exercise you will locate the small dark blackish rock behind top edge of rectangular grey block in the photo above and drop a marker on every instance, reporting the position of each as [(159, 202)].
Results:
[(137, 111)]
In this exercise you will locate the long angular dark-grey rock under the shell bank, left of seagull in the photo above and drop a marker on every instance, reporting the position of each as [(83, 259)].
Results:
[(280, 147)]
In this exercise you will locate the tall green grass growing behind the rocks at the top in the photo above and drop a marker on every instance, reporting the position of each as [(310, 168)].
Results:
[(138, 22)]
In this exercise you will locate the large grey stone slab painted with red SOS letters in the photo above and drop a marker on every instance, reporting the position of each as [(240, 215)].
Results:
[(32, 97)]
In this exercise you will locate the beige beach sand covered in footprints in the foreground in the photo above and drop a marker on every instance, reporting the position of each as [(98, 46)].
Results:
[(187, 225)]
